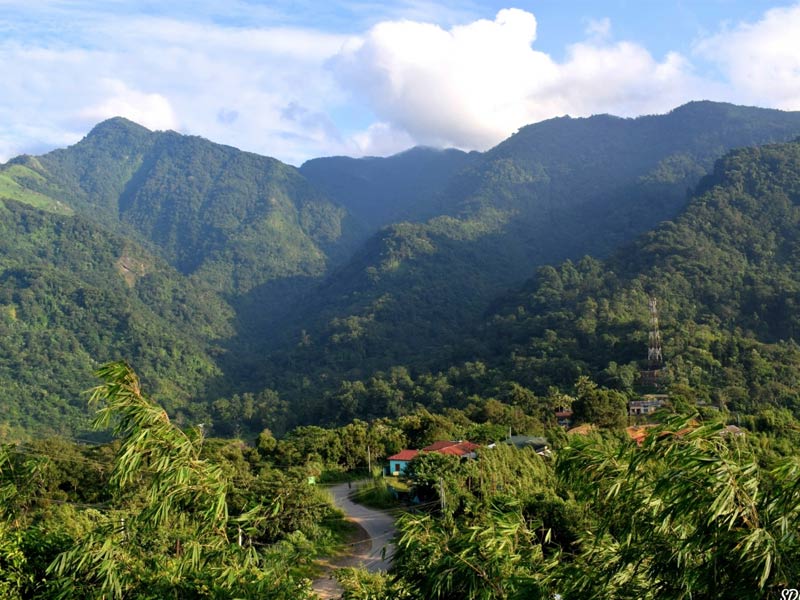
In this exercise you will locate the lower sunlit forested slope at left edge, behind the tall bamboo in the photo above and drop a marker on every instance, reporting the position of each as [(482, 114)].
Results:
[(72, 293)]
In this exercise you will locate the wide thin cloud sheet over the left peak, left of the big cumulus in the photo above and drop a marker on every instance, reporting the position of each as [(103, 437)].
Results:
[(230, 84)]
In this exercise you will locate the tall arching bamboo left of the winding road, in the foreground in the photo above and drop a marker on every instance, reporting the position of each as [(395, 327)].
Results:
[(170, 532)]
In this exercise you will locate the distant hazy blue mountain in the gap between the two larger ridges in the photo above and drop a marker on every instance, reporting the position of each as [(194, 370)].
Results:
[(379, 191)]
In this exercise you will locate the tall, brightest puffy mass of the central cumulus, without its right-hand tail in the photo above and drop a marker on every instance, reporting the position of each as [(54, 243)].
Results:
[(461, 86)]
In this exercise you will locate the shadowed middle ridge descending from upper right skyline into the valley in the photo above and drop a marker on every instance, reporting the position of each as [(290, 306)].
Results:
[(558, 189)]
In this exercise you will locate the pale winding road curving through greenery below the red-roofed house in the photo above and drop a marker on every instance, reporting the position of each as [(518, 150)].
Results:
[(373, 552)]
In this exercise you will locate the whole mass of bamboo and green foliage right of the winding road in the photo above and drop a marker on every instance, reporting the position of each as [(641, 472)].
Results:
[(690, 513)]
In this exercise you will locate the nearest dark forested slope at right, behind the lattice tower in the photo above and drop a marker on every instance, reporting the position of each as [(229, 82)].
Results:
[(726, 274)]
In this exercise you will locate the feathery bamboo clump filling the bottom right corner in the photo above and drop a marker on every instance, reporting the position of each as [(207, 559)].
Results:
[(690, 514)]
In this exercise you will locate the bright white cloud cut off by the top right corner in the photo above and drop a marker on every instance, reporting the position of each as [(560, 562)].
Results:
[(760, 61)]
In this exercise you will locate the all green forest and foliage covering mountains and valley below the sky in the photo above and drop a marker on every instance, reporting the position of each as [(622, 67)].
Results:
[(291, 333)]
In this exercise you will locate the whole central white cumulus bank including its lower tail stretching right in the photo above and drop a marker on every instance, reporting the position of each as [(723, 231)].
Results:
[(473, 85)]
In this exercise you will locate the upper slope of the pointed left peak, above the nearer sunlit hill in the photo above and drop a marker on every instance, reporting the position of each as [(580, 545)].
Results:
[(234, 218)]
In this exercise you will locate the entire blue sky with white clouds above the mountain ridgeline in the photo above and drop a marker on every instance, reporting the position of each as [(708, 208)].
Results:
[(302, 79)]
